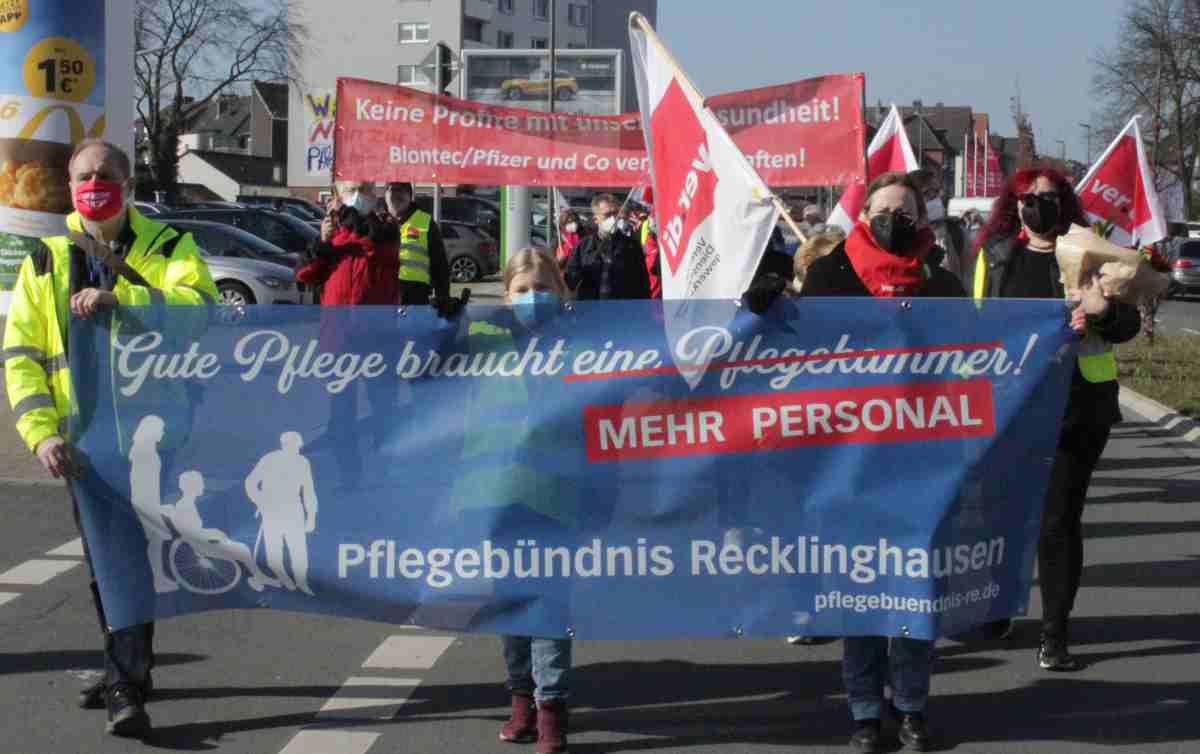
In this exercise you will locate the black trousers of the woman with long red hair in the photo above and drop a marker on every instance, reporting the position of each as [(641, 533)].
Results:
[(1061, 544)]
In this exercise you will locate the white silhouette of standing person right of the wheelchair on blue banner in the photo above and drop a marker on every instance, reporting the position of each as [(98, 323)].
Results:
[(283, 489)]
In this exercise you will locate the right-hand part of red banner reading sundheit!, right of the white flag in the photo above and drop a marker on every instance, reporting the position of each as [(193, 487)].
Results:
[(805, 134)]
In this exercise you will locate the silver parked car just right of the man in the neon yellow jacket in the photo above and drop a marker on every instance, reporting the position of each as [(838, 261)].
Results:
[(245, 268)]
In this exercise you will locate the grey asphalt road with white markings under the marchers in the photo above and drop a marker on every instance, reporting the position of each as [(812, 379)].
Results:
[(263, 683)]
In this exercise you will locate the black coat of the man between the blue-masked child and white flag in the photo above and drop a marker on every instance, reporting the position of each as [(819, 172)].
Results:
[(628, 278)]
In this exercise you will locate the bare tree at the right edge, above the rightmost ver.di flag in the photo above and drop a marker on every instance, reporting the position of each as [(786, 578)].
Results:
[(1155, 71)]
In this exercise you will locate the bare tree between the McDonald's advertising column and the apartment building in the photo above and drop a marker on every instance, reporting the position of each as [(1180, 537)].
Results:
[(193, 51)]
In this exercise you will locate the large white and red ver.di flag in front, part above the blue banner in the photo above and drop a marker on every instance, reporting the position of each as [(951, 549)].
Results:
[(715, 213)]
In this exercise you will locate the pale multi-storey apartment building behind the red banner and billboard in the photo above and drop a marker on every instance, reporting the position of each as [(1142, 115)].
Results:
[(394, 41)]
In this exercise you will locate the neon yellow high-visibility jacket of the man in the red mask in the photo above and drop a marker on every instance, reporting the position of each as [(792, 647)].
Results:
[(35, 360)]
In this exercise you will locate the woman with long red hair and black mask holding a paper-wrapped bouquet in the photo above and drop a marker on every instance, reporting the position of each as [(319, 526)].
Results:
[(1017, 260)]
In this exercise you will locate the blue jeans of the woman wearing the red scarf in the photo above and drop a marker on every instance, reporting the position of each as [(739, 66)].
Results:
[(868, 665)]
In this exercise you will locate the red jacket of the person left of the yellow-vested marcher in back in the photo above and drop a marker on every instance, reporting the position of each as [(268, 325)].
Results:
[(353, 270)]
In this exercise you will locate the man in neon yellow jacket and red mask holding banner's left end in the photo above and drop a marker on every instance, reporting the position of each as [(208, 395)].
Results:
[(58, 282)]
